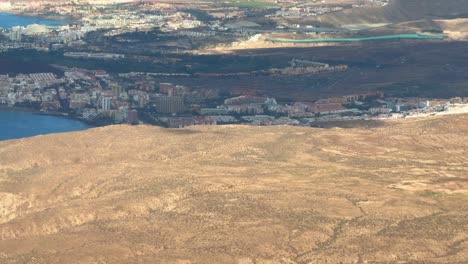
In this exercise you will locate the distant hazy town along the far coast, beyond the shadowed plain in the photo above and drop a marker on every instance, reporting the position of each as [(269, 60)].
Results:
[(221, 20)]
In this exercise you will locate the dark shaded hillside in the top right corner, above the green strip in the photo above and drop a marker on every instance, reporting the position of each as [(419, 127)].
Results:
[(400, 11)]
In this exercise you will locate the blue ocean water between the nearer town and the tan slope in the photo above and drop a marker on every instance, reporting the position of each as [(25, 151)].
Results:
[(23, 124)]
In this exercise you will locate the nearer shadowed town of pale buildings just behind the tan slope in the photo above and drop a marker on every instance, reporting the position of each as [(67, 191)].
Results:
[(100, 98)]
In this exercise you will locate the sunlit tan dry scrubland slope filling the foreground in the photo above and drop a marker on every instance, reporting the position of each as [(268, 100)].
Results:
[(397, 193)]
